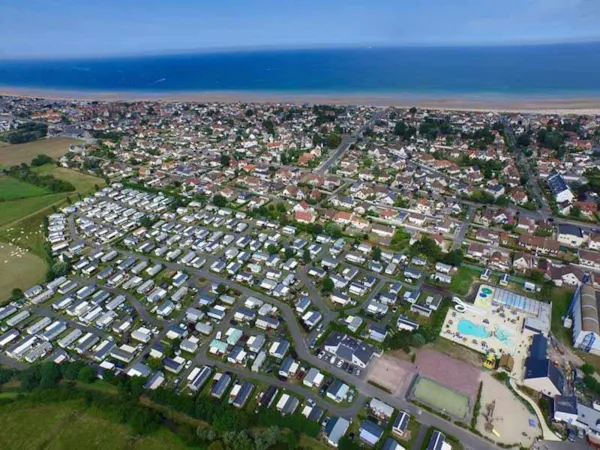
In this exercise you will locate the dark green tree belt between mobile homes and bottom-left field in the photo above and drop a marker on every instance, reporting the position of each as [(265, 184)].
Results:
[(231, 428)]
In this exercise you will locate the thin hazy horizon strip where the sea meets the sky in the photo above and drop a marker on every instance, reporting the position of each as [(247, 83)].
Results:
[(324, 47)]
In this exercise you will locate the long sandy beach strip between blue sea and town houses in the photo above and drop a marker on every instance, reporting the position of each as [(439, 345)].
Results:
[(527, 103)]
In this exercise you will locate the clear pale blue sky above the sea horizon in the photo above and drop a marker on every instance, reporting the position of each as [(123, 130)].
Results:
[(65, 28)]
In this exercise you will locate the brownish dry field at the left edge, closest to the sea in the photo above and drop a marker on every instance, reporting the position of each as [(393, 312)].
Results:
[(11, 155)]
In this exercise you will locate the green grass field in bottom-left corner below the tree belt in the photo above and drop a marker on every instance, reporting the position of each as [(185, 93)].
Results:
[(71, 426)]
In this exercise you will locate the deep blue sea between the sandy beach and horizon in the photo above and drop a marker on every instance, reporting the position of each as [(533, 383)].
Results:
[(565, 70)]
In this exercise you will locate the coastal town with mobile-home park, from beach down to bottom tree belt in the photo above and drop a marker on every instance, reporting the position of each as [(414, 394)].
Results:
[(388, 278)]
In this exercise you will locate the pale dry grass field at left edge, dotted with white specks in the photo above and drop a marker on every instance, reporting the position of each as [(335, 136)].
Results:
[(18, 269)]
